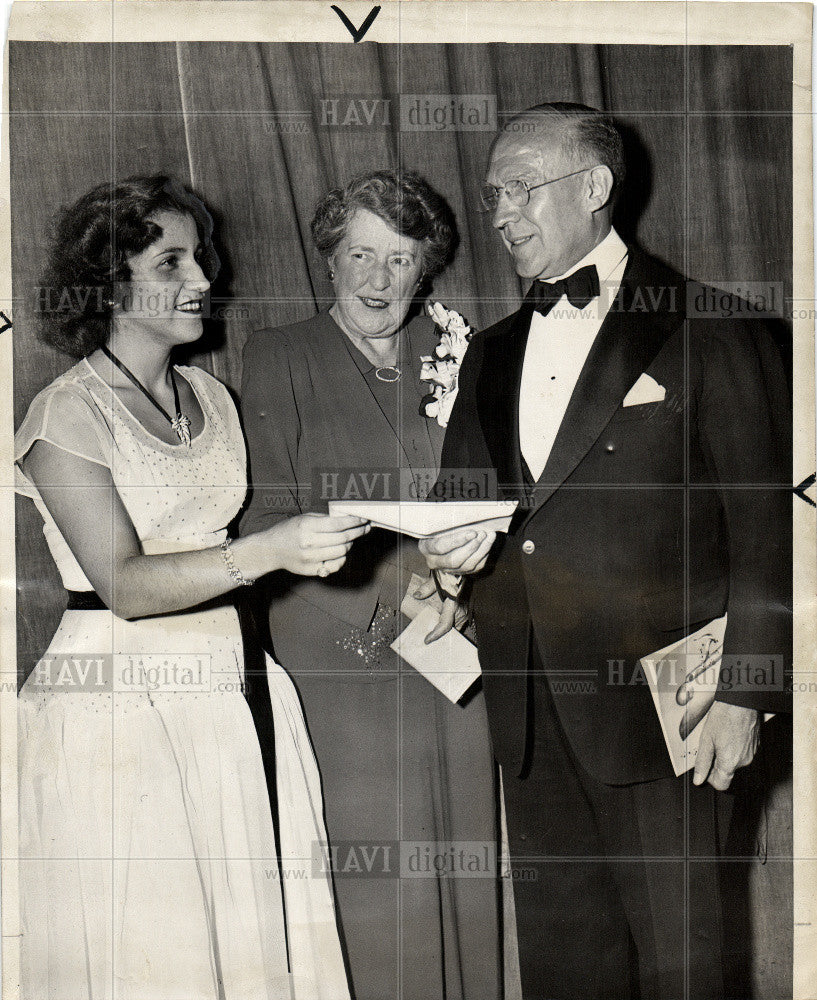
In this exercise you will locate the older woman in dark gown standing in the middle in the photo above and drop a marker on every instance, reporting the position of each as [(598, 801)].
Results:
[(332, 408)]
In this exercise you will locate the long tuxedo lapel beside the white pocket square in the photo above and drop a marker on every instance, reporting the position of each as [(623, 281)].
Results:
[(649, 306)]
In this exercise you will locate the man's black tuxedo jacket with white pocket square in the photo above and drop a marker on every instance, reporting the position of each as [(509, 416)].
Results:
[(647, 522)]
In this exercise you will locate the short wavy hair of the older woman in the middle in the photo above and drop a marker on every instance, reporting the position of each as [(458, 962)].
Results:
[(403, 200)]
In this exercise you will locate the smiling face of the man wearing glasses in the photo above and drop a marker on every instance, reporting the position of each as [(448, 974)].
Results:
[(558, 226)]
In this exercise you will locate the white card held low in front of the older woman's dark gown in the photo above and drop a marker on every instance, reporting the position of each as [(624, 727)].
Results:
[(451, 663)]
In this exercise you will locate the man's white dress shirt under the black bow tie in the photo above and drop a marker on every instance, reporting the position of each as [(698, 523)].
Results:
[(557, 348)]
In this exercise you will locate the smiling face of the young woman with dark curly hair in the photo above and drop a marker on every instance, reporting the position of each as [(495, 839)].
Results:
[(165, 295)]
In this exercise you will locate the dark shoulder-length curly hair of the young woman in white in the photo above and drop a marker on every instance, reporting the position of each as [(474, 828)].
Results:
[(93, 239)]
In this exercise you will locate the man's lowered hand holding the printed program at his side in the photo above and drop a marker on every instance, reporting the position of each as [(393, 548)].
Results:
[(728, 741)]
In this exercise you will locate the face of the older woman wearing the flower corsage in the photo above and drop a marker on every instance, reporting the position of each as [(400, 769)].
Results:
[(377, 273)]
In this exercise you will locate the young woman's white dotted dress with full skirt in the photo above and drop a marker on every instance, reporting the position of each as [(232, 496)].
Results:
[(148, 863)]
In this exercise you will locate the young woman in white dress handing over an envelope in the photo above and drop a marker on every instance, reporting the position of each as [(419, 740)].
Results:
[(147, 843)]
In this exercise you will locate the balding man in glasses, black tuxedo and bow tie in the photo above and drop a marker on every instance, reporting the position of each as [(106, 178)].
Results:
[(650, 450)]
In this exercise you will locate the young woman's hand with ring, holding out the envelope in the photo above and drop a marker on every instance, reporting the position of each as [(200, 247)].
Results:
[(313, 544)]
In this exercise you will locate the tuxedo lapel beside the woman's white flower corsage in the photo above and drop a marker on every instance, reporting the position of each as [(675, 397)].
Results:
[(498, 395)]
